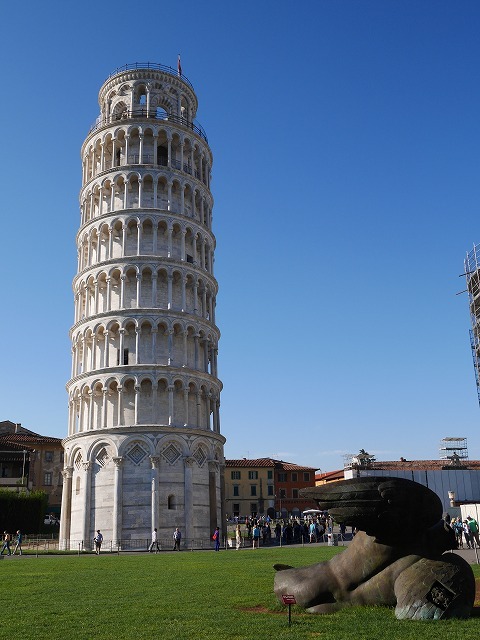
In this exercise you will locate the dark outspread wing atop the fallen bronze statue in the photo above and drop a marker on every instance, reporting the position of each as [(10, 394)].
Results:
[(385, 507)]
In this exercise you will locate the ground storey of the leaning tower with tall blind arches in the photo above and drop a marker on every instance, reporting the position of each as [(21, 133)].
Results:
[(94, 491)]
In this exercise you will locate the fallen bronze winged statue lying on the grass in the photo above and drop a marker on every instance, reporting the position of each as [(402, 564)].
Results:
[(397, 558)]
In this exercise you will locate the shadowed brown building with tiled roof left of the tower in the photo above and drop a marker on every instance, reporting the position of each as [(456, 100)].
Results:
[(31, 461)]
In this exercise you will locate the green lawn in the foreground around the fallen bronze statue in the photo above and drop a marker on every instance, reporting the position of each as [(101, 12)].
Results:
[(183, 595)]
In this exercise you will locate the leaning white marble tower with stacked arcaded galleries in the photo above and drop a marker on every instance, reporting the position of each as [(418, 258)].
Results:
[(144, 447)]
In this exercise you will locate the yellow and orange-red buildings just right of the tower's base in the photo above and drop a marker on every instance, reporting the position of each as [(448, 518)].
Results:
[(266, 486)]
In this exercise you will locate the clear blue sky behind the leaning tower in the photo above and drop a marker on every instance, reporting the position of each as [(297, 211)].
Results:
[(346, 181)]
